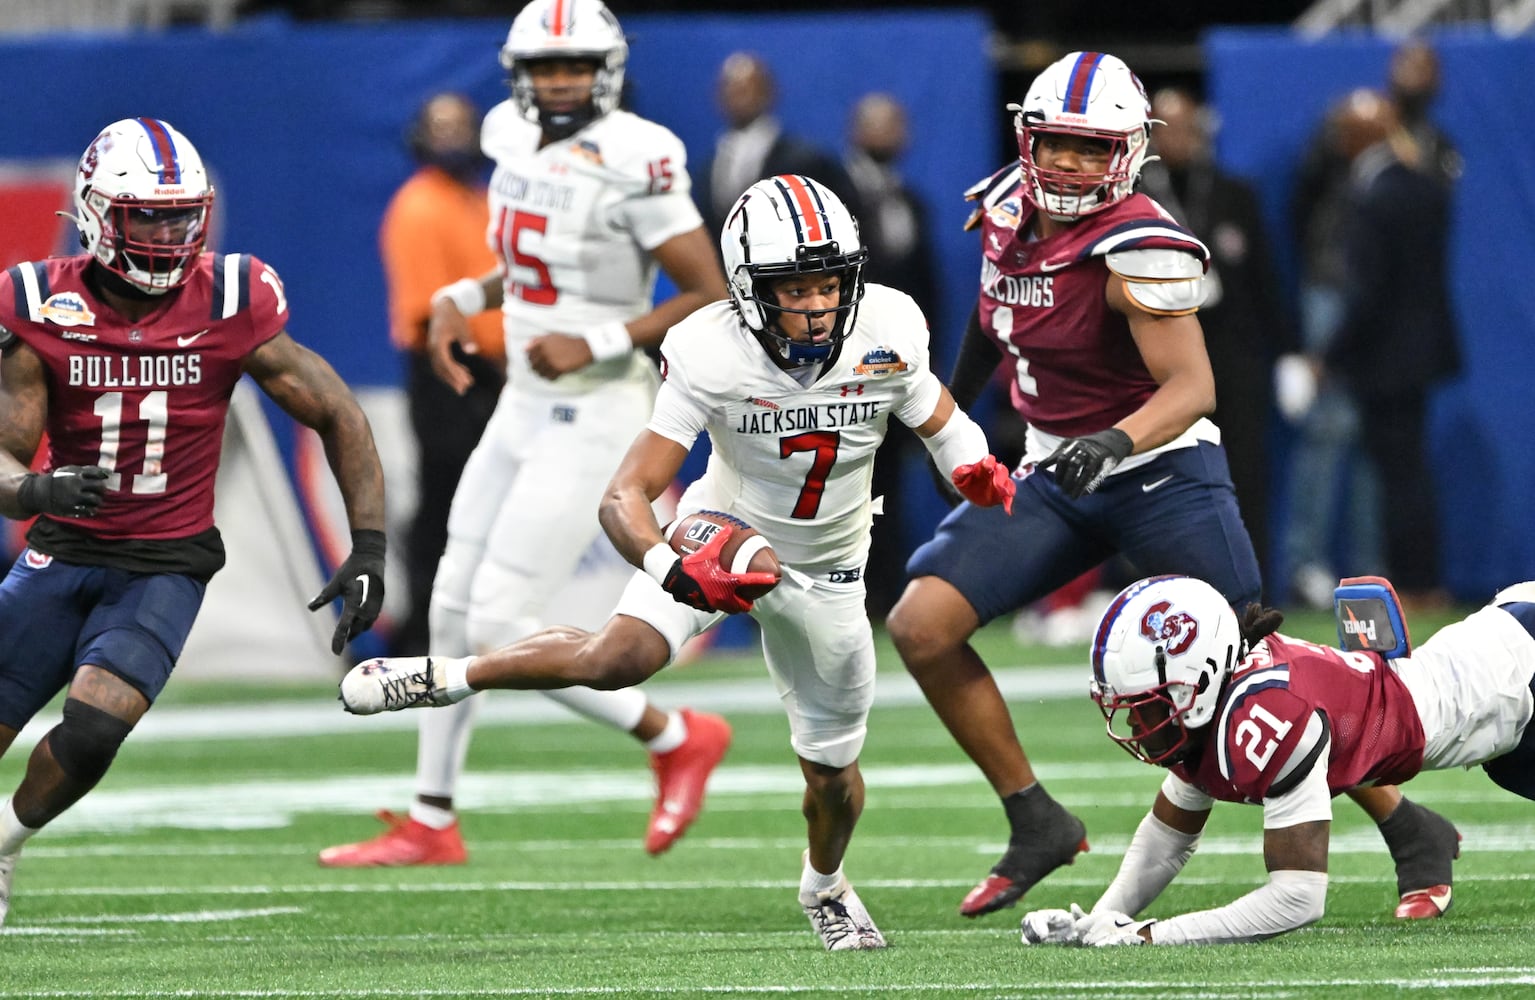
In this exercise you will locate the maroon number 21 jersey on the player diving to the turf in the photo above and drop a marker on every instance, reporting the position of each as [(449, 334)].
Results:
[(1261, 724)]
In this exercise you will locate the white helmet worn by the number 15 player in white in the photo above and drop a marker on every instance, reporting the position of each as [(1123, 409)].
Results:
[(566, 30)]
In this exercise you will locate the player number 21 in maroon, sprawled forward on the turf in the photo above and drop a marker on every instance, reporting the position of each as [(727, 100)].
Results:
[(1238, 712)]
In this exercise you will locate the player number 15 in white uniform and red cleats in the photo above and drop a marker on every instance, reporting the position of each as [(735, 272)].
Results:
[(587, 202)]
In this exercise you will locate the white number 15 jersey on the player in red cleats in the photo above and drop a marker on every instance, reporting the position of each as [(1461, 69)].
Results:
[(573, 225)]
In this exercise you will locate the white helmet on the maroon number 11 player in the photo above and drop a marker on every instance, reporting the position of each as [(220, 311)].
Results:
[(144, 204)]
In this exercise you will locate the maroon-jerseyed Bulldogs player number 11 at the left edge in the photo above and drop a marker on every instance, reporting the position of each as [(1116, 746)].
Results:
[(127, 356)]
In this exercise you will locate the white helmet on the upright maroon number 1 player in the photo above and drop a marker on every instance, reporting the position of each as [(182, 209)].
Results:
[(1095, 96)]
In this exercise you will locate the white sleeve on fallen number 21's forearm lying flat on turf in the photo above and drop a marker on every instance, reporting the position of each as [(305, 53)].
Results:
[(1289, 901)]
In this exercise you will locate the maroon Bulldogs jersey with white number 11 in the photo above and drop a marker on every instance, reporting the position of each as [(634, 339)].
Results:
[(145, 400)]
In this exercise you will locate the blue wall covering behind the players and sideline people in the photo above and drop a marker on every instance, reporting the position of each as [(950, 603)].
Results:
[(303, 124)]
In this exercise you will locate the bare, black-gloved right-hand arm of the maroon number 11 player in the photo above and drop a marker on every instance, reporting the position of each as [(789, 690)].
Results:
[(311, 392)]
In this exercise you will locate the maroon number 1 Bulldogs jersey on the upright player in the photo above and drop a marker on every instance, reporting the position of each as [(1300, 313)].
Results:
[(1077, 368)]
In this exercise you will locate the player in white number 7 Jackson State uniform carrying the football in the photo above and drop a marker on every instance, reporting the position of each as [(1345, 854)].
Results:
[(794, 382)]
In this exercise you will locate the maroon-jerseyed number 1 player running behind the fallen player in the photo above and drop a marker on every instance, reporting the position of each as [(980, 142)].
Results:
[(1089, 291)]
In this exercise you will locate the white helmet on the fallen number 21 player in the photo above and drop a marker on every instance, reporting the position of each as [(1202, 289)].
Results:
[(1163, 655)]
